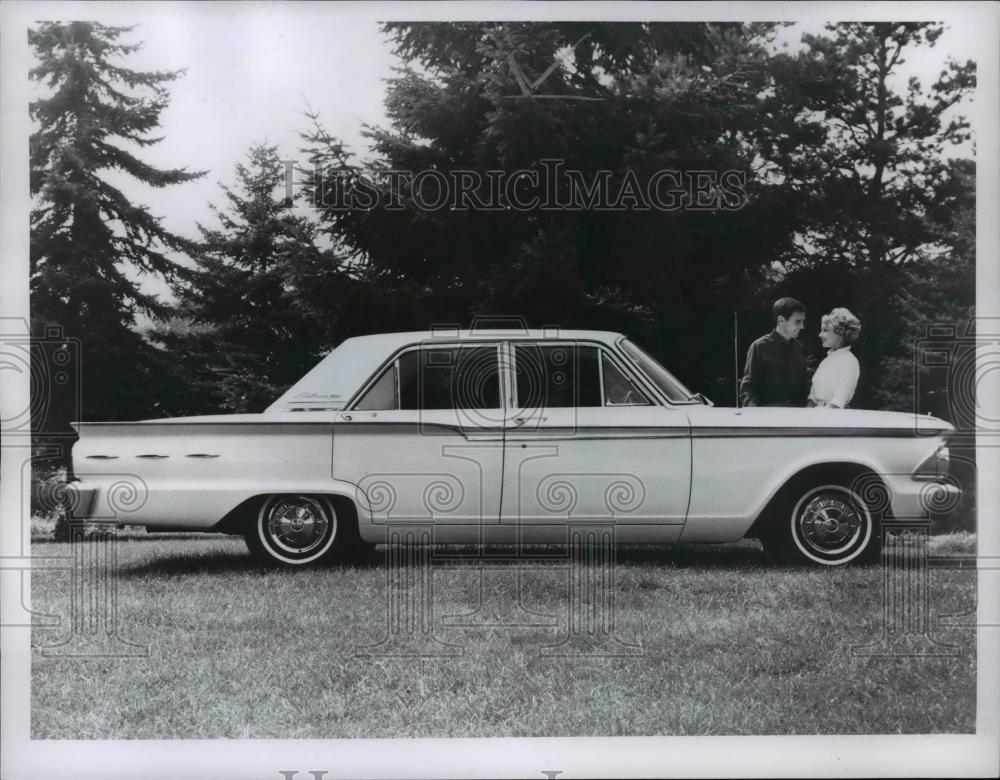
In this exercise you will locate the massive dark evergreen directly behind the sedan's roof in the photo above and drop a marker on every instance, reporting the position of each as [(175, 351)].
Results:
[(618, 100)]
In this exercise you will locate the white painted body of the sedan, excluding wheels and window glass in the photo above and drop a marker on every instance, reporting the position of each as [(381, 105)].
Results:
[(664, 471)]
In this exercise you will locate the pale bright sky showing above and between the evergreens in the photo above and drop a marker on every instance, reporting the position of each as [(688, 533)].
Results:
[(253, 69)]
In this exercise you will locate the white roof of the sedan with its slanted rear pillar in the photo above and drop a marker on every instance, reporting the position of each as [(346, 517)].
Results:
[(338, 376)]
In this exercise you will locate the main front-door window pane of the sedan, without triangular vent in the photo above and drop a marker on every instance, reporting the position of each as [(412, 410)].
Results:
[(558, 375)]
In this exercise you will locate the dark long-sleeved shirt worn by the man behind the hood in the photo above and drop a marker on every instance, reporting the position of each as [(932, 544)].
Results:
[(775, 373)]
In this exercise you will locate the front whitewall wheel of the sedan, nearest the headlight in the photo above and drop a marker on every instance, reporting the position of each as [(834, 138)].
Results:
[(829, 525)]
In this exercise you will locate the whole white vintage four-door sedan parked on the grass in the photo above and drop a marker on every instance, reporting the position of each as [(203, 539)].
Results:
[(514, 437)]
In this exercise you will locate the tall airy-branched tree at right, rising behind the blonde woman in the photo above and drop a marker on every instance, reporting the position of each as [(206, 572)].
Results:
[(870, 186)]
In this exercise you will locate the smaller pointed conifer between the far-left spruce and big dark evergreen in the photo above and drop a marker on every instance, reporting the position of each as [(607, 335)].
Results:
[(247, 330)]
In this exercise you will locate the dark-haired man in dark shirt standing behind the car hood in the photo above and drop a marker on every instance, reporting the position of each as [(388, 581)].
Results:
[(776, 372)]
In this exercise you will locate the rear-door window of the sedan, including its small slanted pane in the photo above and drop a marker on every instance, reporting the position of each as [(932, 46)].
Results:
[(438, 378)]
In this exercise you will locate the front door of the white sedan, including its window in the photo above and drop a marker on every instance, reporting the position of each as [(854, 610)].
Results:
[(585, 444)]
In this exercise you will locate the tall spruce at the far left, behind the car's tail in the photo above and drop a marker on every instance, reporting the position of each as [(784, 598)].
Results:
[(88, 240)]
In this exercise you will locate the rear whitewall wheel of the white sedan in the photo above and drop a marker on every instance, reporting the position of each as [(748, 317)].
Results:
[(293, 531)]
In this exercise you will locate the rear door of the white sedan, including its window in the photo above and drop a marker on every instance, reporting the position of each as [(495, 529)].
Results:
[(424, 442)]
